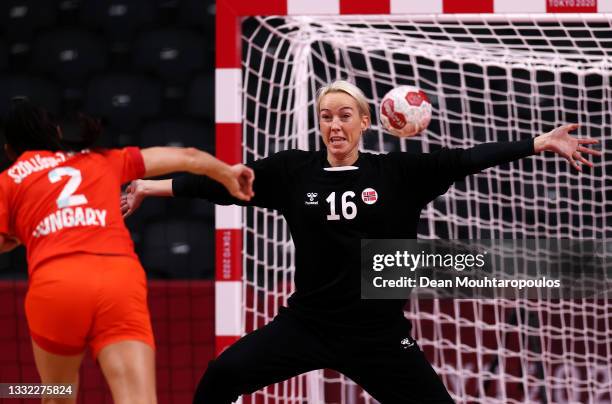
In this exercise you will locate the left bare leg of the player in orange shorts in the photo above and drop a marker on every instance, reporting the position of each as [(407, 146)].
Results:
[(54, 368)]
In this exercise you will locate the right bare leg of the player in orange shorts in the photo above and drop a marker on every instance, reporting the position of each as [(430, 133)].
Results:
[(129, 369)]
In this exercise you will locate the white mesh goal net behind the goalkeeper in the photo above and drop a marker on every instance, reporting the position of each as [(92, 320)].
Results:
[(489, 78)]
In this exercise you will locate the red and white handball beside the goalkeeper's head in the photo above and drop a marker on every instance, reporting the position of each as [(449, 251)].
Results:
[(405, 111)]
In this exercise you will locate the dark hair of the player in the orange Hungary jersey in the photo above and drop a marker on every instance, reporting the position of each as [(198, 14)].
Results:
[(31, 127)]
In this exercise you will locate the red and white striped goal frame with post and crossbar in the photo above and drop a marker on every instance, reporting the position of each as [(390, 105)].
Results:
[(228, 104)]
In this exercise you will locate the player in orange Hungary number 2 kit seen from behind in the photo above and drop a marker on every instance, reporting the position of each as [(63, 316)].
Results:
[(86, 285)]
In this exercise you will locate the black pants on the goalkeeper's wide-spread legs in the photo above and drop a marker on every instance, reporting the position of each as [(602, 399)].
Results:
[(388, 364)]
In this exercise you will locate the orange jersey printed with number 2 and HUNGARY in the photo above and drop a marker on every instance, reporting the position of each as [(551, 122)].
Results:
[(58, 203)]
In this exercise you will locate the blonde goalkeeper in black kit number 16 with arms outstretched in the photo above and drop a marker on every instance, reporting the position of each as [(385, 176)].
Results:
[(331, 199)]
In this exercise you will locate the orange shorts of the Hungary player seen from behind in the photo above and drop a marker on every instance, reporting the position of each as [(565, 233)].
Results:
[(81, 300)]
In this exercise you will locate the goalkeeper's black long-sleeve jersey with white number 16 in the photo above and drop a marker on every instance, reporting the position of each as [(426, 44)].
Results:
[(330, 209)]
